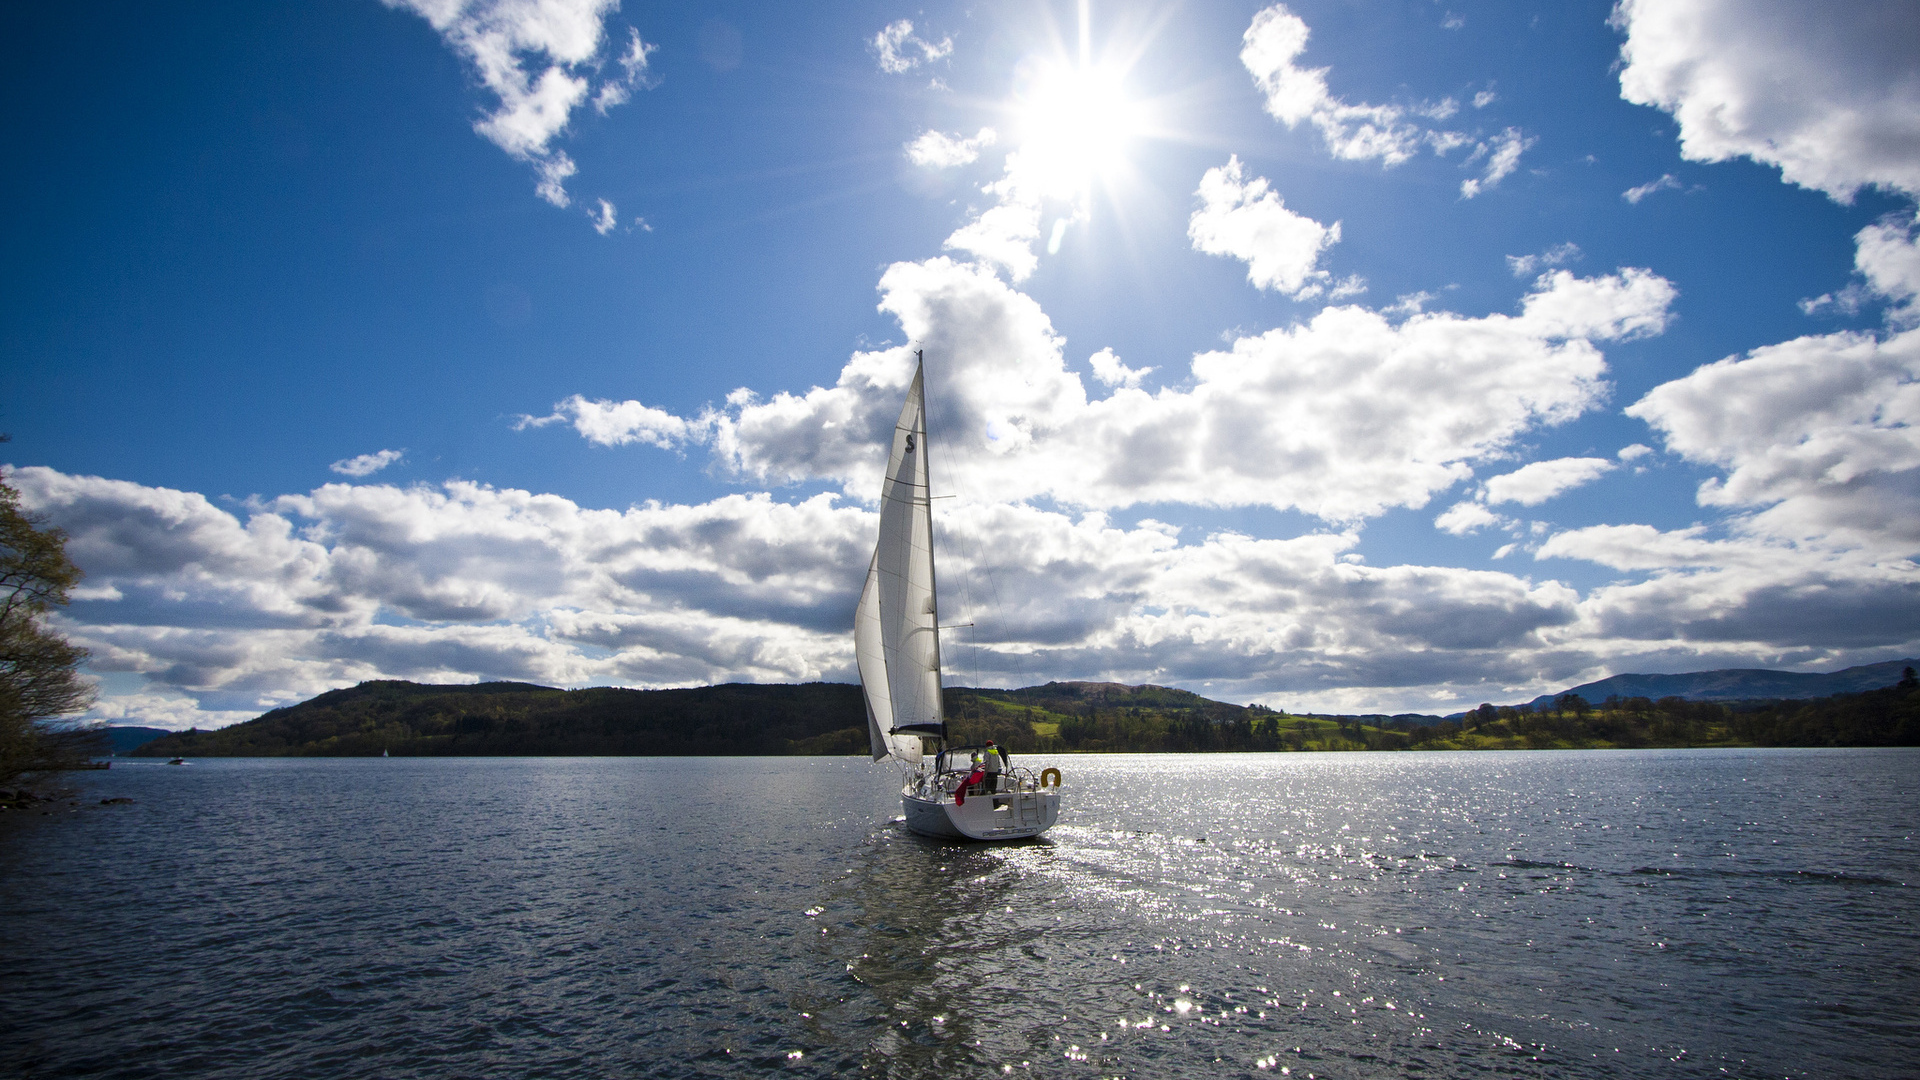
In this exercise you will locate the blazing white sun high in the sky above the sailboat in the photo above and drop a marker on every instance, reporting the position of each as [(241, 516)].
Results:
[(1076, 126)]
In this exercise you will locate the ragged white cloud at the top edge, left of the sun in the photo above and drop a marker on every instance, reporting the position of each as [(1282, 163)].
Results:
[(539, 59)]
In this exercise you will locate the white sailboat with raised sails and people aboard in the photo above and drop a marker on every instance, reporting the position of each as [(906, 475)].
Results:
[(955, 793)]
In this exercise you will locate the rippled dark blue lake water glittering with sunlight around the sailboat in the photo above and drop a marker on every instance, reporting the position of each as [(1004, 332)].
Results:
[(1307, 916)]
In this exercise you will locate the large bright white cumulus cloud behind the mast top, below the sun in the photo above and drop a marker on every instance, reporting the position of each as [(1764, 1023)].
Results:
[(1343, 418)]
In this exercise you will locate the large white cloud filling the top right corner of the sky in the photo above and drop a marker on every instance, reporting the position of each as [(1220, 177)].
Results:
[(1833, 101)]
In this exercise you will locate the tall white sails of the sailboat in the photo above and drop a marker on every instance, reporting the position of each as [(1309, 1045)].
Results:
[(896, 629)]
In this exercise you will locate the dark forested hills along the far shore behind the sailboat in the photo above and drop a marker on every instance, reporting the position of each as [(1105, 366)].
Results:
[(828, 718)]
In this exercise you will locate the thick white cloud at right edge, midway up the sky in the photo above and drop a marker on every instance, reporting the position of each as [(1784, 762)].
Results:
[(1819, 439)]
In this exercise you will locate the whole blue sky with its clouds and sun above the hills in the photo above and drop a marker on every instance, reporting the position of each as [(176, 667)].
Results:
[(1339, 356)]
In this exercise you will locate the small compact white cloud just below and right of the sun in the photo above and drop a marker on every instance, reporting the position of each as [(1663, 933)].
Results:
[(1247, 220)]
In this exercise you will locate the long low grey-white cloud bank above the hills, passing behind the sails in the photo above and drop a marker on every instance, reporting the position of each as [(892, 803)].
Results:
[(228, 618)]
